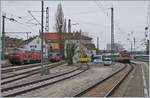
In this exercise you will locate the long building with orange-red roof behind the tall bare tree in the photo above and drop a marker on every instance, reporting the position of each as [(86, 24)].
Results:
[(84, 42)]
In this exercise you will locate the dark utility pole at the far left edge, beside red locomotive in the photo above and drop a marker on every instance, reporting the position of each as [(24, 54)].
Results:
[(3, 37)]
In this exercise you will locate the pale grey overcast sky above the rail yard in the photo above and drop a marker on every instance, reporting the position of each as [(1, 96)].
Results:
[(93, 17)]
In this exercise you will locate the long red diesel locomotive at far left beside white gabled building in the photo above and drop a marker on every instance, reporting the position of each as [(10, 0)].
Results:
[(20, 56)]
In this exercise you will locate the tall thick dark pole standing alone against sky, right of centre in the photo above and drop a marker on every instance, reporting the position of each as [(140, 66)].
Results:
[(112, 31)]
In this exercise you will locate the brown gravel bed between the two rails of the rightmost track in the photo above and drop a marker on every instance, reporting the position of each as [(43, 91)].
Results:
[(105, 88)]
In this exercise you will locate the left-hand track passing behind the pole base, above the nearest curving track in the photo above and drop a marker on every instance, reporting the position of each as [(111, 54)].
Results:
[(26, 73)]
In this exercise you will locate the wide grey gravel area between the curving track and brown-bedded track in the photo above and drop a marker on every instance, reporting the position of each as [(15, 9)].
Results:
[(77, 84)]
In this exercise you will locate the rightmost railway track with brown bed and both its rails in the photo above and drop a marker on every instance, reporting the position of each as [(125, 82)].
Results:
[(106, 87)]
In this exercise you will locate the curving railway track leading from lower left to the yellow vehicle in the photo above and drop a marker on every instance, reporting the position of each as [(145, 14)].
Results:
[(26, 87)]
